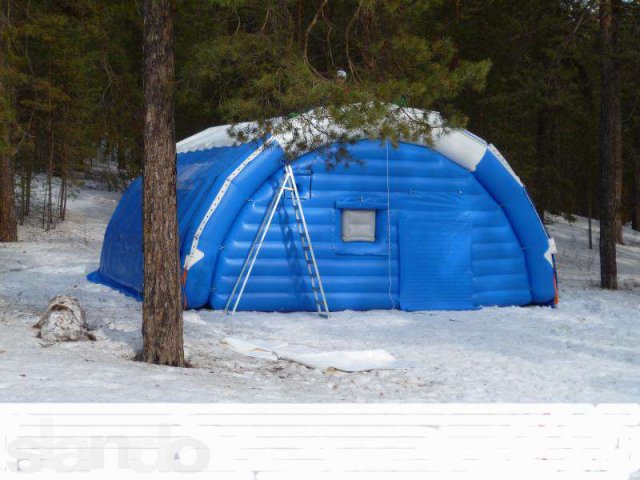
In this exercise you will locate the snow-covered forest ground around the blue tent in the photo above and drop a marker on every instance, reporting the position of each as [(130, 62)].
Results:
[(586, 350)]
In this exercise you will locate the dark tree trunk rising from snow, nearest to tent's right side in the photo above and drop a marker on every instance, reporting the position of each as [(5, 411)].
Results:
[(609, 145)]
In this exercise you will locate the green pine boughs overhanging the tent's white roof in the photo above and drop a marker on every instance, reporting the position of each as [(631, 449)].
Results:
[(265, 61)]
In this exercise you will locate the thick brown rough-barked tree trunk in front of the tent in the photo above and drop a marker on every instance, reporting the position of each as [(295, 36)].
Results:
[(162, 309)]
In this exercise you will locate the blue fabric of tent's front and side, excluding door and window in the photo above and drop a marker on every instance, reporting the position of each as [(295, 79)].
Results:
[(508, 244)]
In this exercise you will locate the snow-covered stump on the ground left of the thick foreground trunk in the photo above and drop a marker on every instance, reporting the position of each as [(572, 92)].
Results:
[(64, 321)]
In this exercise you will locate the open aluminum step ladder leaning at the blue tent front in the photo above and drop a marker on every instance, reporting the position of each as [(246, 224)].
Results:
[(288, 185)]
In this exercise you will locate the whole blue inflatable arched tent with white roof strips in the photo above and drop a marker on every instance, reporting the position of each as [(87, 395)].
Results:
[(444, 224)]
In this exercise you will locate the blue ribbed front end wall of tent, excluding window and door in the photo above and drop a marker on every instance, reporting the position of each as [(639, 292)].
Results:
[(356, 276)]
